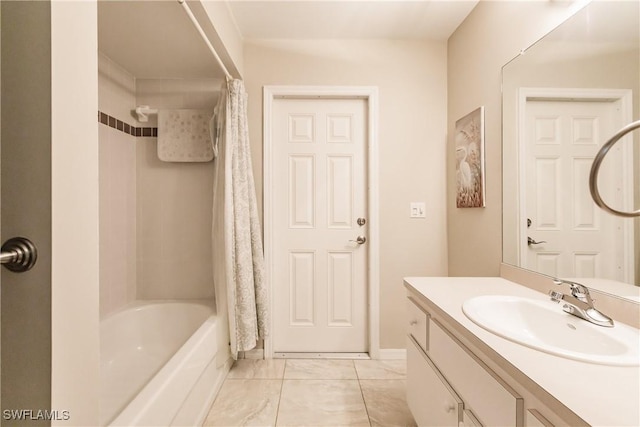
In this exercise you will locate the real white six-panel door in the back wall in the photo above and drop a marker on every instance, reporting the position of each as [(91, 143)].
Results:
[(319, 192)]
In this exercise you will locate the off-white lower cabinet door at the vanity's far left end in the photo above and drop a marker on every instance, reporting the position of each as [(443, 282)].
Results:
[(431, 400)]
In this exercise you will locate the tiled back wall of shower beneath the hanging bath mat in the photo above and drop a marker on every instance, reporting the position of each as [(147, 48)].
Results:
[(174, 226)]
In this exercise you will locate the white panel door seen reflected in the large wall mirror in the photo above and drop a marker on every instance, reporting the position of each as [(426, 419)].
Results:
[(581, 240)]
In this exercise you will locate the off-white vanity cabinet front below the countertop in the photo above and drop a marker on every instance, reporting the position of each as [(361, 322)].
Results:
[(448, 385)]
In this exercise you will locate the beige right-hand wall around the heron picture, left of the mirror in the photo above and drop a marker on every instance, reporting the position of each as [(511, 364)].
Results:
[(493, 34)]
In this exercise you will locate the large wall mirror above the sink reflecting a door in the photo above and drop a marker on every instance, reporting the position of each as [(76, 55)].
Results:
[(563, 98)]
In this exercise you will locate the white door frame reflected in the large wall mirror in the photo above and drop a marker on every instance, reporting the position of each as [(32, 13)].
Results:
[(625, 97)]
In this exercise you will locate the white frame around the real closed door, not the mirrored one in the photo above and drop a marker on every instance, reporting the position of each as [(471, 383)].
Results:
[(370, 94)]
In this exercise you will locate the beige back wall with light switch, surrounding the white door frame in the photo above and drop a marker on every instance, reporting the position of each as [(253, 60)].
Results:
[(411, 77)]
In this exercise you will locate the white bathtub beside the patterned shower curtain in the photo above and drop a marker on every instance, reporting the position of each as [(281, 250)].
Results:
[(158, 364)]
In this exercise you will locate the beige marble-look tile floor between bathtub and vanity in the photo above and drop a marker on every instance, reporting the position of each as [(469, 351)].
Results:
[(312, 392)]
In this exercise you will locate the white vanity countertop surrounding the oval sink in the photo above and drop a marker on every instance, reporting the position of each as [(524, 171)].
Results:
[(599, 394)]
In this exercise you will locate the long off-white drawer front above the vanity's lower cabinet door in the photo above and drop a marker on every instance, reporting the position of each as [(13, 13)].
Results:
[(491, 400)]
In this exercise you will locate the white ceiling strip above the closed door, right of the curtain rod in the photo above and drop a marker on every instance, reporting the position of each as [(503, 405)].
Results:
[(350, 19)]
